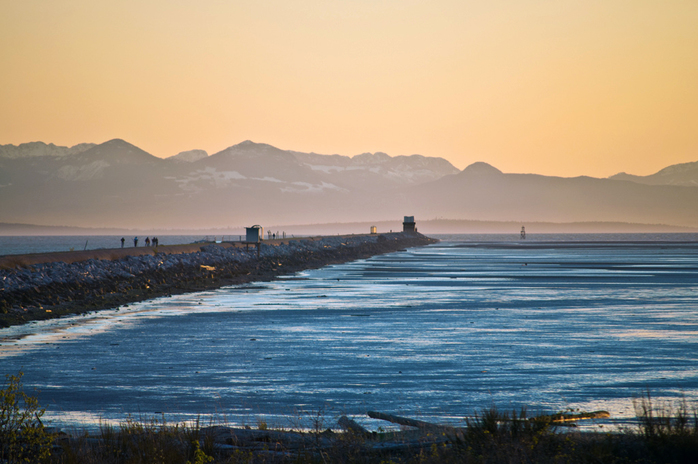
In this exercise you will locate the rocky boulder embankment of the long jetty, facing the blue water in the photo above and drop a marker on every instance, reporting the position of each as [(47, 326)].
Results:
[(55, 288)]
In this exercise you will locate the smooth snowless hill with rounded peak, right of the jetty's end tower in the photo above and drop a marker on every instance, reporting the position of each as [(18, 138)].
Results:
[(484, 193)]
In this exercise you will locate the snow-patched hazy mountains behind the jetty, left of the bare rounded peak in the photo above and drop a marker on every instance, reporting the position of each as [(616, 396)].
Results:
[(117, 185)]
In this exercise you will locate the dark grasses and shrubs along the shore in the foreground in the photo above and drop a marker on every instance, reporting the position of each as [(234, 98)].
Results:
[(665, 434)]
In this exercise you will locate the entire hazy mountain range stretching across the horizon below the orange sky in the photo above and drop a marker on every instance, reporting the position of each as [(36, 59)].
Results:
[(116, 184)]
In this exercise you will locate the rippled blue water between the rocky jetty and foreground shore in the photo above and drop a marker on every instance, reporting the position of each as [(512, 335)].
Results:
[(435, 333)]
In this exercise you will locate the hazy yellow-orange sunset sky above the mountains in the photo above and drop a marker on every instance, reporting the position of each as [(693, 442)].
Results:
[(553, 87)]
